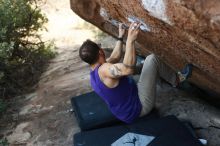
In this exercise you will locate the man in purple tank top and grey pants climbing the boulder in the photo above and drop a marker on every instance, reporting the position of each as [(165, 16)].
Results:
[(109, 78)]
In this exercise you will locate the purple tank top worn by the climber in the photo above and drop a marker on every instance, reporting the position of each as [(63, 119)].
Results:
[(123, 100)]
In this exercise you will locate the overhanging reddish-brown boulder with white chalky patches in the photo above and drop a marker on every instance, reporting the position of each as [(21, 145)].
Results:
[(179, 31)]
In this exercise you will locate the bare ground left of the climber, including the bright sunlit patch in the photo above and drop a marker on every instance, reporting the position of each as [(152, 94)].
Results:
[(44, 117)]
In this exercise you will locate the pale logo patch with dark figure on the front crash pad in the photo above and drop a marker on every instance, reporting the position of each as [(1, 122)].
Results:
[(132, 139)]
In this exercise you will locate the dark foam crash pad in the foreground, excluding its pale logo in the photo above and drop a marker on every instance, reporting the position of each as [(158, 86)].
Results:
[(168, 131)]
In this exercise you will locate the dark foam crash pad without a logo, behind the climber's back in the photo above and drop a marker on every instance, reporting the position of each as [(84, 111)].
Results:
[(91, 111)]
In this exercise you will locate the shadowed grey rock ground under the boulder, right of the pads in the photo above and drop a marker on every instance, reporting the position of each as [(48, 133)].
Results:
[(188, 107)]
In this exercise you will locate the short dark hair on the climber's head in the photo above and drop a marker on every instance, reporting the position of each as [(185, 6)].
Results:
[(89, 52)]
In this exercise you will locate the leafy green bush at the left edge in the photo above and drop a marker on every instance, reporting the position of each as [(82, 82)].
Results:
[(22, 53)]
